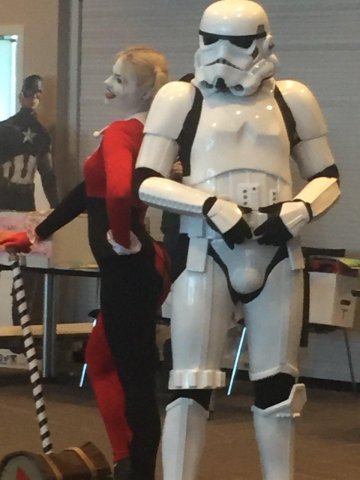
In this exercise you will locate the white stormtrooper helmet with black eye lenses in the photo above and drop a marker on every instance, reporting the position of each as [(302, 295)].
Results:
[(235, 52)]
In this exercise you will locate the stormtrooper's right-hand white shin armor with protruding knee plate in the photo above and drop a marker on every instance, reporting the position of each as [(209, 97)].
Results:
[(274, 429)]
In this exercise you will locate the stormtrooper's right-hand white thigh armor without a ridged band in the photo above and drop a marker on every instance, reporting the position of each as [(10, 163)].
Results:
[(274, 322)]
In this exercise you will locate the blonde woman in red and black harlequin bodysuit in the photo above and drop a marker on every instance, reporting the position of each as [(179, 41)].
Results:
[(133, 268)]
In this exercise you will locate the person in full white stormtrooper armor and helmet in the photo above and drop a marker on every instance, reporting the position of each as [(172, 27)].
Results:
[(240, 223)]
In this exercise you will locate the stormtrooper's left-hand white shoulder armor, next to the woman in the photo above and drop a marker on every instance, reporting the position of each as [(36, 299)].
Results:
[(169, 109)]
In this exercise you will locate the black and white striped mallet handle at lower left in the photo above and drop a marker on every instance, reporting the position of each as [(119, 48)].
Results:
[(30, 353)]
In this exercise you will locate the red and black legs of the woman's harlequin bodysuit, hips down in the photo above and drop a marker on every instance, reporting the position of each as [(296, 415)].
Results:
[(124, 376)]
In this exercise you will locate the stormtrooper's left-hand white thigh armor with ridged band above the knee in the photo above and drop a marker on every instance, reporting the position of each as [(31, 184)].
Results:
[(201, 315)]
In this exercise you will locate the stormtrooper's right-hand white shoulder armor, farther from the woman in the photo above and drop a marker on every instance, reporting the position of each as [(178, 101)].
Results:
[(310, 122)]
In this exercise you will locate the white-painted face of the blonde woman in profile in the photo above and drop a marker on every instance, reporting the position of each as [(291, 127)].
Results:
[(122, 89)]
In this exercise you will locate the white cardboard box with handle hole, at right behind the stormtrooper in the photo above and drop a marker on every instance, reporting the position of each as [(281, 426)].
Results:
[(331, 300)]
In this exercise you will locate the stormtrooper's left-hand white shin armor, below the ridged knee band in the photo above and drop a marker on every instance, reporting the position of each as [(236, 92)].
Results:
[(183, 439)]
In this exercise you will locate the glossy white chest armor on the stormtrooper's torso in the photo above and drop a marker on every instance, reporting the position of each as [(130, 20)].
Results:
[(240, 138)]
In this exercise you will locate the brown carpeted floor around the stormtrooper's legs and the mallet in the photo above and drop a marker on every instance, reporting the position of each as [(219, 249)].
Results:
[(328, 434)]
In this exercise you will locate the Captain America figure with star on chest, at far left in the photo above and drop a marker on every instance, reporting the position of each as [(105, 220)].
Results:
[(25, 146)]
